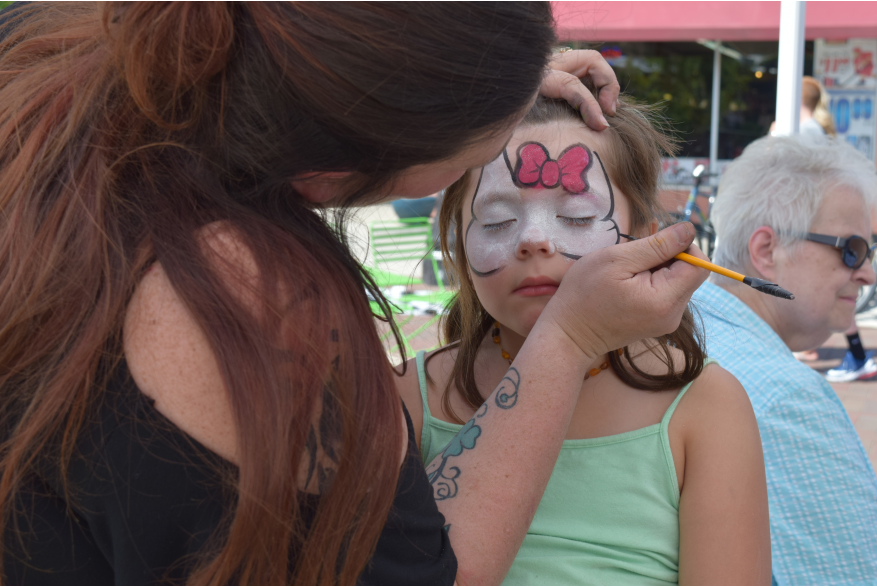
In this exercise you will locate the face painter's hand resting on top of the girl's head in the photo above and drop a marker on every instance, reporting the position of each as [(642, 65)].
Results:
[(563, 81)]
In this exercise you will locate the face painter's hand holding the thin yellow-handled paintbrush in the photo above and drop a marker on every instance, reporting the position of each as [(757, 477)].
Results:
[(611, 298)]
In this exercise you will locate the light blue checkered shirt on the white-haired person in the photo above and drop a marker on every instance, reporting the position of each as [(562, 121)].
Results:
[(821, 487)]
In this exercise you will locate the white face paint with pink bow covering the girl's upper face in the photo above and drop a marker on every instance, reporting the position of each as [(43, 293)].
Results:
[(565, 205)]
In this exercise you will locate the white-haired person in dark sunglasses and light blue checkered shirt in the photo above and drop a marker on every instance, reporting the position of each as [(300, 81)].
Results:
[(796, 212)]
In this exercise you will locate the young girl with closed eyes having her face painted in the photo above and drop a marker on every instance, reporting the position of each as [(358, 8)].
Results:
[(661, 477)]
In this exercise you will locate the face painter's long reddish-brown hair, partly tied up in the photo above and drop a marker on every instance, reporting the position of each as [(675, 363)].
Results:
[(127, 127)]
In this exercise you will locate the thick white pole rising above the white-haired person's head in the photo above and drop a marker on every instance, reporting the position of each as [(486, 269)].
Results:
[(790, 67)]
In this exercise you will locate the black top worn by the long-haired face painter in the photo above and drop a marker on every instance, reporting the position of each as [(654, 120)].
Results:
[(147, 498)]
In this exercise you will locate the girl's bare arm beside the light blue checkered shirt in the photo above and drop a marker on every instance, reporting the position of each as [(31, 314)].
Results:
[(723, 512)]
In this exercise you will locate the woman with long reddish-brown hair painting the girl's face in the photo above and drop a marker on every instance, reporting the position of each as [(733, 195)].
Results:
[(192, 386)]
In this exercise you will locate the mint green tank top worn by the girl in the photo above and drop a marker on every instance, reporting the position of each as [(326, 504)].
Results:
[(610, 513)]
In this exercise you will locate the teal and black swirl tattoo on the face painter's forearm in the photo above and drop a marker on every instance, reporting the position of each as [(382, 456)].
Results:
[(442, 476)]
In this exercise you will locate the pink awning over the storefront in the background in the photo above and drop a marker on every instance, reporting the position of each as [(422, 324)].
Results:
[(690, 21)]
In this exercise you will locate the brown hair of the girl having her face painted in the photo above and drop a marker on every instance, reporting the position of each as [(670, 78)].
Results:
[(637, 144)]
